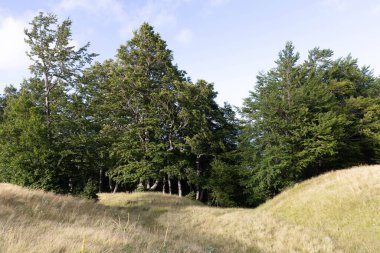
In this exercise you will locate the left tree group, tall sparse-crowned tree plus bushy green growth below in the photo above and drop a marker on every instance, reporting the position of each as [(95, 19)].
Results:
[(39, 122)]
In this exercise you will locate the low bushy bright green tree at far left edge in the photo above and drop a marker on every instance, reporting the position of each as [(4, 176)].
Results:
[(24, 150)]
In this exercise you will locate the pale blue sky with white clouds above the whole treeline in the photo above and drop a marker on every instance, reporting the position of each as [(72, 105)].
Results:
[(226, 42)]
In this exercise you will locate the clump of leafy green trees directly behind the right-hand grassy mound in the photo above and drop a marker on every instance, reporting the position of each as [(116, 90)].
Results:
[(306, 119)]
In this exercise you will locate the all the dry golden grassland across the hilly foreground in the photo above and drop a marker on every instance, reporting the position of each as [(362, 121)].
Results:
[(336, 212)]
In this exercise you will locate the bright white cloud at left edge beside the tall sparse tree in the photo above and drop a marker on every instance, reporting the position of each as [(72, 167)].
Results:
[(12, 45)]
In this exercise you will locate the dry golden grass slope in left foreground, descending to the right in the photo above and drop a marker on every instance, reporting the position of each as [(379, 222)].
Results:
[(36, 221)]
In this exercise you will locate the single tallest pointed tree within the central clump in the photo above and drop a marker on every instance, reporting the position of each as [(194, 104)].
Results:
[(145, 74)]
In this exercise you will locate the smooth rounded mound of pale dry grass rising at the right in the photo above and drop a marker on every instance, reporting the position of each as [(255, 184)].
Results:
[(344, 204)]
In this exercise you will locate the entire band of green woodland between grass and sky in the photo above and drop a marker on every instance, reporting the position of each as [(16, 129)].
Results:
[(139, 123)]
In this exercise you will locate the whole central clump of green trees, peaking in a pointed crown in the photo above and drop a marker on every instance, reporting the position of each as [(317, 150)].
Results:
[(168, 128)]
